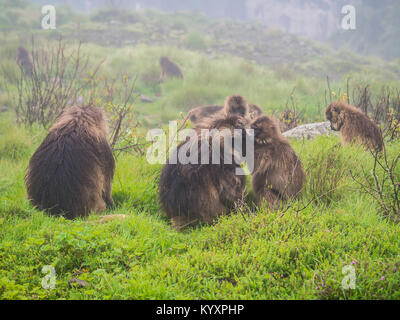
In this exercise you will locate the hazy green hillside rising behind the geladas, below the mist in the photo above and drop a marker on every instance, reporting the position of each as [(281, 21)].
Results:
[(266, 66)]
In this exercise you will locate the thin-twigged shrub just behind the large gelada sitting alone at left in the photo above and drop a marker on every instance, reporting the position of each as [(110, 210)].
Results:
[(58, 78)]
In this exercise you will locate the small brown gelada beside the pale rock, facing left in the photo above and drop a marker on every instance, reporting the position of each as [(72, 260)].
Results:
[(354, 125)]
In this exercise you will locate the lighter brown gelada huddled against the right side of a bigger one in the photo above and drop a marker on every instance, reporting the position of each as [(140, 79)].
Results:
[(278, 173)]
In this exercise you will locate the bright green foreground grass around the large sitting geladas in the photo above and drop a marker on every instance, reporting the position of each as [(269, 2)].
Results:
[(264, 255)]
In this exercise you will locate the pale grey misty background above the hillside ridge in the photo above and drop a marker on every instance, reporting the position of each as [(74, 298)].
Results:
[(378, 25)]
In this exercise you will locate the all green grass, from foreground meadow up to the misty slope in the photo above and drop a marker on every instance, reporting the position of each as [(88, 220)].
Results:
[(262, 255)]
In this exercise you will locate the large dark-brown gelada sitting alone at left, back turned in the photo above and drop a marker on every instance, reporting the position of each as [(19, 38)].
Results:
[(71, 172)]
